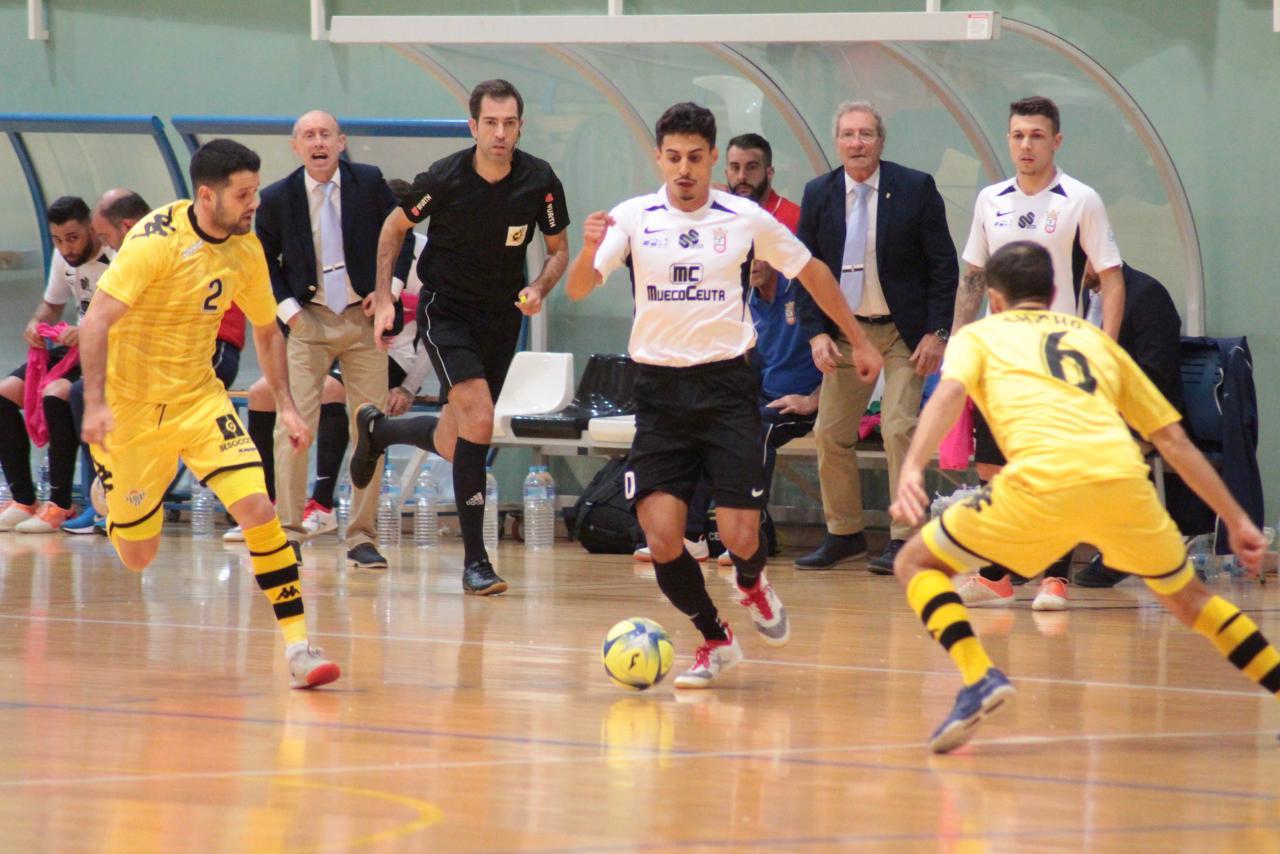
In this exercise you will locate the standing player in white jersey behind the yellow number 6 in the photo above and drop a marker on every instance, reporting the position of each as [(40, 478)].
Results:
[(1044, 205)]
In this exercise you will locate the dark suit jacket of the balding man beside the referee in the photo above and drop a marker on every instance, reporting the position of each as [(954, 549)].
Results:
[(284, 226)]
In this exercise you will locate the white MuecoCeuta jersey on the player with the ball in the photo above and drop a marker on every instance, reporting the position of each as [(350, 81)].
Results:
[(691, 273)]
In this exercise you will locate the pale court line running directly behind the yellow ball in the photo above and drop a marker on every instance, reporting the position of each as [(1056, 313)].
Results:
[(518, 645)]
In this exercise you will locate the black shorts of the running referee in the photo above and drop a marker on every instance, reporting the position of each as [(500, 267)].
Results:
[(465, 342)]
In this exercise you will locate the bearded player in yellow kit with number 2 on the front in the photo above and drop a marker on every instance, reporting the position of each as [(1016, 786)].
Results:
[(152, 396)]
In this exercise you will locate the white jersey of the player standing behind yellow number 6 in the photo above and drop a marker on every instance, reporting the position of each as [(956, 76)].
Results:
[(1067, 218)]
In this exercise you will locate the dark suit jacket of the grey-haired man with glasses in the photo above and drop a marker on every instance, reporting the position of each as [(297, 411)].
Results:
[(915, 254)]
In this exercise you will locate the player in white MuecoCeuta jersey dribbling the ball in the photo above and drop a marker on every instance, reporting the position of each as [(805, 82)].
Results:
[(689, 250)]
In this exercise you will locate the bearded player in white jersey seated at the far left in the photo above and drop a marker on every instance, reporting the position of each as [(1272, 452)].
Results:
[(79, 262)]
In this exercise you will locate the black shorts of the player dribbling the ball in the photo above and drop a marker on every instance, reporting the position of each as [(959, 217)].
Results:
[(693, 422)]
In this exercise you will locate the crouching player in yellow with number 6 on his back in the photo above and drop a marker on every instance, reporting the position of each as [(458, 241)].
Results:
[(1060, 398)]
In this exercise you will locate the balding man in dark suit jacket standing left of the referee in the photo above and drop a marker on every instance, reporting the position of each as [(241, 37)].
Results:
[(319, 229)]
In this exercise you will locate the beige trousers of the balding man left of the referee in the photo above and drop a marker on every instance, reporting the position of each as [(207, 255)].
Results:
[(318, 339)]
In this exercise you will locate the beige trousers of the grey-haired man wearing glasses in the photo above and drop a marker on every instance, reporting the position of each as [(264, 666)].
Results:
[(840, 413)]
